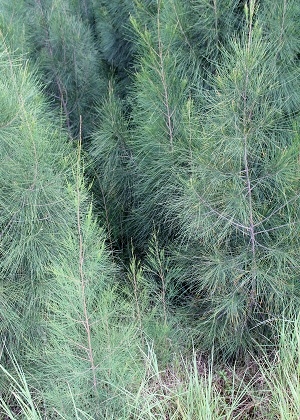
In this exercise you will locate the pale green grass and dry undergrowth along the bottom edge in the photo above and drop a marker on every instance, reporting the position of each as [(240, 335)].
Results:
[(187, 388)]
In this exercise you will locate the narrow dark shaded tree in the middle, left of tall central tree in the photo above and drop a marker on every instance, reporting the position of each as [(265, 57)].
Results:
[(112, 170)]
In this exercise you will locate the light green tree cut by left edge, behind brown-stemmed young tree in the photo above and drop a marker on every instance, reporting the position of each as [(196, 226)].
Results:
[(34, 214)]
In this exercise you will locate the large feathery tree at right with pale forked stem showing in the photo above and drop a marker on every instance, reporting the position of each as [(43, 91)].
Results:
[(238, 205)]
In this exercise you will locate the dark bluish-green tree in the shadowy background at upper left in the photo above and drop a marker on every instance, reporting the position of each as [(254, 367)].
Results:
[(61, 42)]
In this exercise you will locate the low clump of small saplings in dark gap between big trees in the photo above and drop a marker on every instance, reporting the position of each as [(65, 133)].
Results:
[(154, 292)]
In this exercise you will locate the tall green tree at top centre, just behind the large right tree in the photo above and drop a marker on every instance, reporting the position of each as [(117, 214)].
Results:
[(177, 52)]
